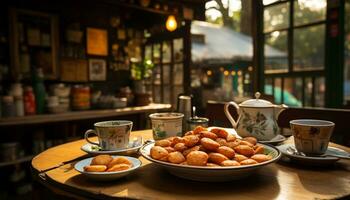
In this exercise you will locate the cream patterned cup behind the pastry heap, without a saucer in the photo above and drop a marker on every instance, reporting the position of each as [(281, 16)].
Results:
[(166, 125)]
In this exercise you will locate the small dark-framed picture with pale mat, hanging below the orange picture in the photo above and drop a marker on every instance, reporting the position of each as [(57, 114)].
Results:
[(97, 70)]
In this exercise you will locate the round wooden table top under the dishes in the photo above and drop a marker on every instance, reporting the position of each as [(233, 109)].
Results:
[(276, 181)]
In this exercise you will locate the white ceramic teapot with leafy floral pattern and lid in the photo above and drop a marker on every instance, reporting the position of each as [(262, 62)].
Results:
[(257, 118)]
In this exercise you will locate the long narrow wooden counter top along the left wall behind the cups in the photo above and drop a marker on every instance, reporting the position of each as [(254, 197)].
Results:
[(80, 115)]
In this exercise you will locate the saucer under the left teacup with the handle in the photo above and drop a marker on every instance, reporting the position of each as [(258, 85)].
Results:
[(132, 148)]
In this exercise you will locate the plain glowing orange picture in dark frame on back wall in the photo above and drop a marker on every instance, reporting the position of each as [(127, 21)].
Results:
[(97, 41)]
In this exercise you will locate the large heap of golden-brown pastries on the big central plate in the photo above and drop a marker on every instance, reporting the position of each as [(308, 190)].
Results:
[(213, 148)]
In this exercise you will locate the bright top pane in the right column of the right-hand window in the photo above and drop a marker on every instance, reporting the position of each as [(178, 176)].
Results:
[(307, 11)]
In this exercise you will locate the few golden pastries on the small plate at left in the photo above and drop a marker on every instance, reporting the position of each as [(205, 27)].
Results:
[(106, 163)]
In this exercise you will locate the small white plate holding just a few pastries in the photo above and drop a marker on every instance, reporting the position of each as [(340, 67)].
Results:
[(106, 176)]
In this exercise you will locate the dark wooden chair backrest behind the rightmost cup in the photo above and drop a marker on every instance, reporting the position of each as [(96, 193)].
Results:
[(341, 118)]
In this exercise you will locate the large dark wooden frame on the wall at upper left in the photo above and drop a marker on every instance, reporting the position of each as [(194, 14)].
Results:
[(34, 43)]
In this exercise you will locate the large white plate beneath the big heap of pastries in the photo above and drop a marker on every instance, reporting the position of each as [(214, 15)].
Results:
[(211, 174)]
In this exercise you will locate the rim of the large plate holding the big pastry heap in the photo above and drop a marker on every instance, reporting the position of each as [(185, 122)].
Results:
[(279, 154)]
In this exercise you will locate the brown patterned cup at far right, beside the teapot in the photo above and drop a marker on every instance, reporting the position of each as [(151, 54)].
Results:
[(311, 136)]
